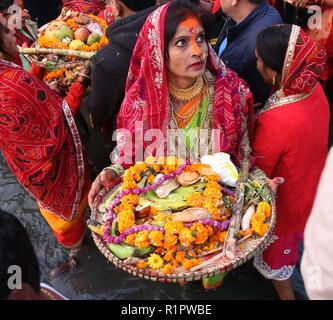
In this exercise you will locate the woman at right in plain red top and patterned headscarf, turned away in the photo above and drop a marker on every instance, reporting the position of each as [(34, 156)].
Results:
[(291, 137)]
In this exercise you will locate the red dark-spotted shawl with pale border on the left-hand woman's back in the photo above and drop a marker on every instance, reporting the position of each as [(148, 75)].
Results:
[(40, 141)]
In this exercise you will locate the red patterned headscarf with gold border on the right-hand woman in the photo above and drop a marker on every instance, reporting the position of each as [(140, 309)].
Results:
[(303, 65)]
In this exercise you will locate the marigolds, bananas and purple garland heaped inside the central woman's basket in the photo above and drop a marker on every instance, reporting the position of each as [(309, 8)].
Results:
[(169, 215)]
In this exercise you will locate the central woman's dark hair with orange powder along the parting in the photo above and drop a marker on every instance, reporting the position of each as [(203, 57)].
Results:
[(178, 11)]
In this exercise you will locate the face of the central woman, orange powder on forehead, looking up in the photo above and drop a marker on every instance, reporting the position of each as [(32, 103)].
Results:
[(188, 53)]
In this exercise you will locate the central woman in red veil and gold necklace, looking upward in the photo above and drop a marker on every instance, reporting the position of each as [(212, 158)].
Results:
[(178, 87)]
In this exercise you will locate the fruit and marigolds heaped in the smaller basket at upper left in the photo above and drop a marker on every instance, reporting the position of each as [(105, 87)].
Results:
[(64, 44)]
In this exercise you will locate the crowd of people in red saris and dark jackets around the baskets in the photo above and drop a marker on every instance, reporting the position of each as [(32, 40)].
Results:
[(255, 80)]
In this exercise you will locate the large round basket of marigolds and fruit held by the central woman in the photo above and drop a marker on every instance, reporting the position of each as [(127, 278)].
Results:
[(173, 221)]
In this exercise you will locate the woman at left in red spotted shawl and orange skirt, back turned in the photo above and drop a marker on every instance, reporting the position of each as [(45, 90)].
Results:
[(41, 144)]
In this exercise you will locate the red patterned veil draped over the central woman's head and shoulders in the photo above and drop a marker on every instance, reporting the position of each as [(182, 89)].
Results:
[(147, 97)]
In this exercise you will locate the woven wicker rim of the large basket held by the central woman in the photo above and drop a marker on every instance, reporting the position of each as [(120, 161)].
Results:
[(247, 250)]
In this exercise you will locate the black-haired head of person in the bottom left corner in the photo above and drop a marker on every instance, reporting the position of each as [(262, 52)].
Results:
[(16, 249)]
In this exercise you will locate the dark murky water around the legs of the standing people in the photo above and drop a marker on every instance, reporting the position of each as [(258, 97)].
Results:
[(95, 277)]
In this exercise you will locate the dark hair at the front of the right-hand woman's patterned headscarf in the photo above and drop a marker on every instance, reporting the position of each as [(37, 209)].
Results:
[(272, 45)]
